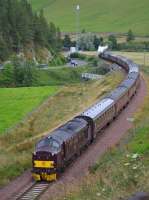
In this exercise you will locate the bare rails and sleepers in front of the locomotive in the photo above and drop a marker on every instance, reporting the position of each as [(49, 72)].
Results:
[(33, 192)]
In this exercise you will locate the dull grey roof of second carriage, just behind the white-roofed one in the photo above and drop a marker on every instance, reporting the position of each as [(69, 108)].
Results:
[(115, 94)]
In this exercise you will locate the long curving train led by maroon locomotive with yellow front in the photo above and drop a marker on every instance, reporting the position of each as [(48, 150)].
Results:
[(55, 151)]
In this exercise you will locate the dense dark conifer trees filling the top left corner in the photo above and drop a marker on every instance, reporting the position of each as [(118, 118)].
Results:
[(20, 26)]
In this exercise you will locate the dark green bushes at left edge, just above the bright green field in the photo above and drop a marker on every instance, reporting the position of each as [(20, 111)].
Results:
[(18, 73)]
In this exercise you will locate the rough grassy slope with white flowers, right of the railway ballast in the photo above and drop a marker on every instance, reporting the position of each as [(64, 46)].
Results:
[(118, 175)]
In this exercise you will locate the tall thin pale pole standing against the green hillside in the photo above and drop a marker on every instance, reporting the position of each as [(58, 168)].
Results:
[(77, 26)]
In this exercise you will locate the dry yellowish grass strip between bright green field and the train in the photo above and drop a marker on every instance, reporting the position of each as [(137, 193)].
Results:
[(19, 142)]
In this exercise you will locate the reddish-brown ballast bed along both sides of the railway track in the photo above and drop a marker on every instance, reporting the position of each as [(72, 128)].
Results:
[(79, 168)]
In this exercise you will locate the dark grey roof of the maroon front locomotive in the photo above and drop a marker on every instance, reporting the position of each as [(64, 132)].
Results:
[(67, 130)]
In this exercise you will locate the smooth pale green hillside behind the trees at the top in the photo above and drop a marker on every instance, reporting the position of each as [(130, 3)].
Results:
[(98, 15)]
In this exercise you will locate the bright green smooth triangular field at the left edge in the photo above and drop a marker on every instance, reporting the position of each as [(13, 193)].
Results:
[(16, 103)]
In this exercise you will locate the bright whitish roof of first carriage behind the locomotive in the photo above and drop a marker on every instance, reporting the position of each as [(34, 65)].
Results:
[(98, 108)]
